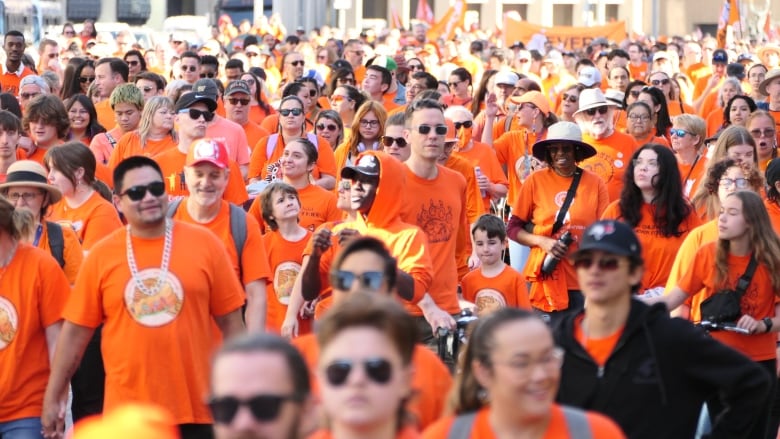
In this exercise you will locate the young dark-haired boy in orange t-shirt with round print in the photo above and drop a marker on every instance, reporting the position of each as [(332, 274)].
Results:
[(494, 285)]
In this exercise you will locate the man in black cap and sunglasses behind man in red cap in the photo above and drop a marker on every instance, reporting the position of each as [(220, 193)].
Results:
[(193, 113)]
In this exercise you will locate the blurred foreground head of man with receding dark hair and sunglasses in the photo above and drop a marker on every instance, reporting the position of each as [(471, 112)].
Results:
[(260, 389)]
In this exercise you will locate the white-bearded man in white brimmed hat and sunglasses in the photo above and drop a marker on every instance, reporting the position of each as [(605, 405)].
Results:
[(597, 122)]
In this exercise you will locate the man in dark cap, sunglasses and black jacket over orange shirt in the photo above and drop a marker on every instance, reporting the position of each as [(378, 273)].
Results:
[(633, 363)]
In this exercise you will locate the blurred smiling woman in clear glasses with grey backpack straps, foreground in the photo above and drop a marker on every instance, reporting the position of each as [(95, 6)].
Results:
[(508, 381)]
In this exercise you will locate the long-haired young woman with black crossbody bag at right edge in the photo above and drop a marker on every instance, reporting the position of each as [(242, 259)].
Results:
[(742, 240)]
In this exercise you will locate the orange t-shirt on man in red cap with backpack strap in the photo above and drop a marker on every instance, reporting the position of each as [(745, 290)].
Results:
[(253, 260)]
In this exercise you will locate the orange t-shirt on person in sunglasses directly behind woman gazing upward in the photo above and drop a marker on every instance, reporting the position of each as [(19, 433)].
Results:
[(263, 166)]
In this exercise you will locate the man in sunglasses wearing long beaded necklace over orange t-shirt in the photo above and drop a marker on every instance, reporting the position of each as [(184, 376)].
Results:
[(154, 285)]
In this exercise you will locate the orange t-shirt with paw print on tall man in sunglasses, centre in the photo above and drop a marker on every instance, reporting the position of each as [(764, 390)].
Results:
[(438, 207)]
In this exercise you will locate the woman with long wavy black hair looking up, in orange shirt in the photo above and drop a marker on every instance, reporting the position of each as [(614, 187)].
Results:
[(652, 203)]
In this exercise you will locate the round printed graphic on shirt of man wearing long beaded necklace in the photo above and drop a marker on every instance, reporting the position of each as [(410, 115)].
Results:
[(159, 308)]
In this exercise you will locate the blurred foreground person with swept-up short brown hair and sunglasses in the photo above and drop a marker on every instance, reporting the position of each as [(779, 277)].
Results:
[(365, 368)]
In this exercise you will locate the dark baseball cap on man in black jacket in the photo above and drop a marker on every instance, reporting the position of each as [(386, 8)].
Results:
[(611, 236)]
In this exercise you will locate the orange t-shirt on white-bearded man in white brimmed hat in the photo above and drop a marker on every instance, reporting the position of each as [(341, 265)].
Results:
[(612, 155)]
